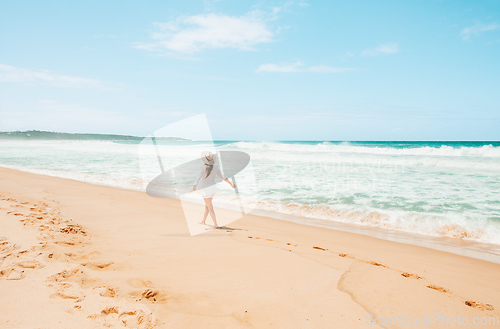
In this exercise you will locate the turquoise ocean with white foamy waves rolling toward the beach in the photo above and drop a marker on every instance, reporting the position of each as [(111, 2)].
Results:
[(447, 189)]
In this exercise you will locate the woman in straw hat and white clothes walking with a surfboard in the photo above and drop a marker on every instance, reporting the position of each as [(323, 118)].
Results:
[(205, 184)]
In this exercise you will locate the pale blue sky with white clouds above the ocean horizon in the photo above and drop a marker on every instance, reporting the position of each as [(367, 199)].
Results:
[(259, 70)]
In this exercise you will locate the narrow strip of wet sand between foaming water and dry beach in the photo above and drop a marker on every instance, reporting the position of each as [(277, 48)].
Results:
[(464, 247)]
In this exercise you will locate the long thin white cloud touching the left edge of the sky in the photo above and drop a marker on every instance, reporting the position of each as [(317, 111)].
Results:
[(15, 74)]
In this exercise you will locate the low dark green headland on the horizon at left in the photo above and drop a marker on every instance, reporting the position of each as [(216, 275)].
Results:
[(51, 135)]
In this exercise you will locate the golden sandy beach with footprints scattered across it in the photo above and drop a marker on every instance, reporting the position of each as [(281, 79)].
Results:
[(76, 255)]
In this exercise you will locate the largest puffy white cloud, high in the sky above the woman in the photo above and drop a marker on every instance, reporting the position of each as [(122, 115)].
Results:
[(191, 34)]
